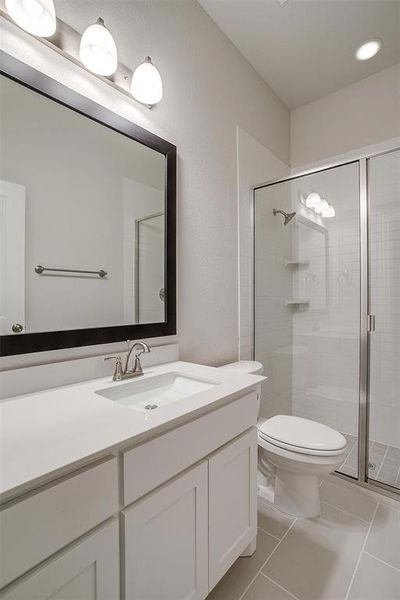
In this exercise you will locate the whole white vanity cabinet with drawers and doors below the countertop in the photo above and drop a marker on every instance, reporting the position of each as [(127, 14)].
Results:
[(162, 520)]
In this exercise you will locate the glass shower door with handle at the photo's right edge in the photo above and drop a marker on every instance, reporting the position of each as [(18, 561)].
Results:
[(384, 300)]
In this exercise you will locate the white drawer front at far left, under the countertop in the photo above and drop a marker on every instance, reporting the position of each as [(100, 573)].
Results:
[(39, 525)]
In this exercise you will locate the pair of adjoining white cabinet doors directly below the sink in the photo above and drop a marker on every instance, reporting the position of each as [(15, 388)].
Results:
[(182, 538)]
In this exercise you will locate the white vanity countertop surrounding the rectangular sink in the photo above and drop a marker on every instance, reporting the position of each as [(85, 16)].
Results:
[(47, 433)]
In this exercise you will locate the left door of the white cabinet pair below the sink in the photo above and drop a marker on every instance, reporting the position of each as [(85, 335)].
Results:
[(166, 541)]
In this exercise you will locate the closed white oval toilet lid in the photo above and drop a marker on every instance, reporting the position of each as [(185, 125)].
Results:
[(304, 434)]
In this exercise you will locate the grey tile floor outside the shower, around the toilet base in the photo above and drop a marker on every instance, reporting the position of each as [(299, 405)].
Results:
[(351, 552)]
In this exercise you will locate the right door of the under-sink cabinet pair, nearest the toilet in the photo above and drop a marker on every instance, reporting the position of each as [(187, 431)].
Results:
[(233, 503)]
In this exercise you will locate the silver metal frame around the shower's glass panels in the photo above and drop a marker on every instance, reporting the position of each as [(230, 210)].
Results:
[(364, 339)]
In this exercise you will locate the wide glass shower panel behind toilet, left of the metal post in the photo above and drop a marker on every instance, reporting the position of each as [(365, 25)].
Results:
[(307, 300)]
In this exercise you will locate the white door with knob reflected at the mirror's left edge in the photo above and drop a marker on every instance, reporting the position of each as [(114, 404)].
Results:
[(12, 257)]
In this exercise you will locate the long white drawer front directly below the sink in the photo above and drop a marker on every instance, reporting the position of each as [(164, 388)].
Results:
[(153, 463)]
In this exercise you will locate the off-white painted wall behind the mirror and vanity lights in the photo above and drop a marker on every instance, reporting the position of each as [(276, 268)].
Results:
[(209, 90)]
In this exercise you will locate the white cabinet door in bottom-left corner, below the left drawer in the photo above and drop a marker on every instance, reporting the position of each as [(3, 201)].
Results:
[(87, 571)]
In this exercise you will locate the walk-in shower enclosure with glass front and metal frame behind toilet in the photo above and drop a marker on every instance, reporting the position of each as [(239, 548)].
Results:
[(327, 306)]
